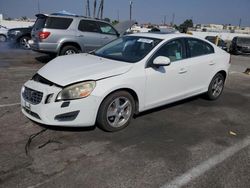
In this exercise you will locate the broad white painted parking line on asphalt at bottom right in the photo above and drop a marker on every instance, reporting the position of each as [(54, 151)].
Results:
[(197, 171)]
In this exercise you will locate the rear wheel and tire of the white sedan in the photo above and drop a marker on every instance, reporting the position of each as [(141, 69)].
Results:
[(216, 87)]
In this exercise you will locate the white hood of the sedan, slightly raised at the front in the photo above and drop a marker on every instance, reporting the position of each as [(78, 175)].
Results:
[(65, 70)]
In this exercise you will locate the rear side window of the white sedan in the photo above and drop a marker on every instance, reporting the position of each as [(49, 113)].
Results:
[(198, 47)]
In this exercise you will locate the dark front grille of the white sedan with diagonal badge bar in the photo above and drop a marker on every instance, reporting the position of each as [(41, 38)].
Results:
[(32, 96)]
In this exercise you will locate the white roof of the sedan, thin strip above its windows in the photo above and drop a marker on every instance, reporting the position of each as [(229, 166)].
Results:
[(162, 36)]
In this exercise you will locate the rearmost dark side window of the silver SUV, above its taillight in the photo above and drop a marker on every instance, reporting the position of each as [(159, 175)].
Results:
[(58, 23)]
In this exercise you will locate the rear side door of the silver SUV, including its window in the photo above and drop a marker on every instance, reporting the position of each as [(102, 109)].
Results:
[(89, 34)]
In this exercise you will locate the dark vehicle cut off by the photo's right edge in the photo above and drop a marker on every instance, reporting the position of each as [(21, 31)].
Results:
[(240, 45)]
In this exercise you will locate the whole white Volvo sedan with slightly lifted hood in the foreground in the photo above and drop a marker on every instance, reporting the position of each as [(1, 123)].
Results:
[(131, 74)]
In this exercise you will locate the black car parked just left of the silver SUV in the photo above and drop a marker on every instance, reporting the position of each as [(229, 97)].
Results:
[(20, 37)]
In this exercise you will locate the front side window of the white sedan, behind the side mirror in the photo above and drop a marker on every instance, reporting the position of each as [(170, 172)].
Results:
[(174, 50)]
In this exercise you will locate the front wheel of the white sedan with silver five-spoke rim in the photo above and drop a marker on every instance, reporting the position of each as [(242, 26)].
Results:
[(116, 111)]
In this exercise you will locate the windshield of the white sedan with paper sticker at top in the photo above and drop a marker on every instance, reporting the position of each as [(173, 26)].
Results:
[(129, 48)]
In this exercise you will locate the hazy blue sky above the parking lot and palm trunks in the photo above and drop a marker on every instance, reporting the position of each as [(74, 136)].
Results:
[(144, 11)]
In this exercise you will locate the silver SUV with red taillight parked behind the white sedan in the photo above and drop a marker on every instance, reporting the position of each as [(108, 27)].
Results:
[(65, 34)]
